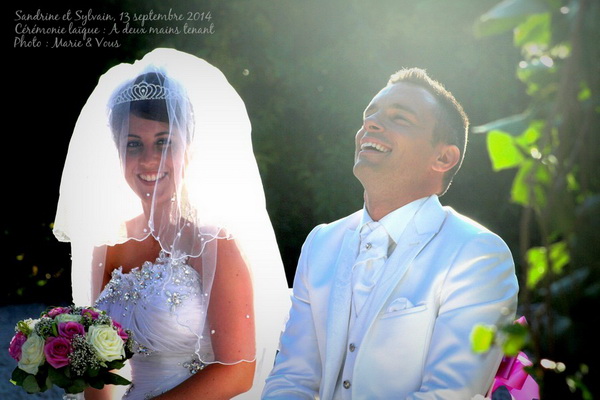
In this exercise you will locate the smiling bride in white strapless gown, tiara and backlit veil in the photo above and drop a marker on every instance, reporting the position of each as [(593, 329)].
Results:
[(162, 202)]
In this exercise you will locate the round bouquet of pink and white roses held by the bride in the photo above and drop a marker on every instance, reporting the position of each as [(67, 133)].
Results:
[(70, 347)]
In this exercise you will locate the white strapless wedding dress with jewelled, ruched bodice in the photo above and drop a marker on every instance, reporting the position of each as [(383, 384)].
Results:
[(162, 304)]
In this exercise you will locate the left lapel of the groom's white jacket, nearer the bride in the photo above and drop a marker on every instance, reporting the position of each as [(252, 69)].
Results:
[(338, 314)]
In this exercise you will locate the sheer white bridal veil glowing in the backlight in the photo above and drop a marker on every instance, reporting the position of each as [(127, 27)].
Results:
[(214, 190)]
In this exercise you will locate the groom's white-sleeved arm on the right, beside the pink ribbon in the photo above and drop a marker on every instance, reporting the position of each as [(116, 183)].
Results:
[(480, 288)]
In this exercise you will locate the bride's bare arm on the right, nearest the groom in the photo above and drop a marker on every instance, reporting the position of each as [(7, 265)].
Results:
[(231, 319)]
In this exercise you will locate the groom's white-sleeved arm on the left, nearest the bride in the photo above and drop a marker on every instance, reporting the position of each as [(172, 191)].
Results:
[(297, 370)]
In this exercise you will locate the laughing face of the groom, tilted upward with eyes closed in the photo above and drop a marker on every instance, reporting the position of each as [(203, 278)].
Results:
[(395, 146)]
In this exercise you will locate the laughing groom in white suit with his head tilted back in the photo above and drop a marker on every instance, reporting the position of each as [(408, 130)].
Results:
[(385, 299)]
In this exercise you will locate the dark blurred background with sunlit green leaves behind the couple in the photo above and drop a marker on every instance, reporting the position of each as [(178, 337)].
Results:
[(526, 71)]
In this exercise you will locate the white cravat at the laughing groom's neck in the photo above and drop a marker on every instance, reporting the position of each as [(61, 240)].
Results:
[(373, 252)]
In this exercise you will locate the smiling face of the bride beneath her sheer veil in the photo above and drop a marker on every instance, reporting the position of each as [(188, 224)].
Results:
[(153, 159)]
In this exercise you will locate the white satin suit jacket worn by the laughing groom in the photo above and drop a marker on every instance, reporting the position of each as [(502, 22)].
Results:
[(412, 338)]
